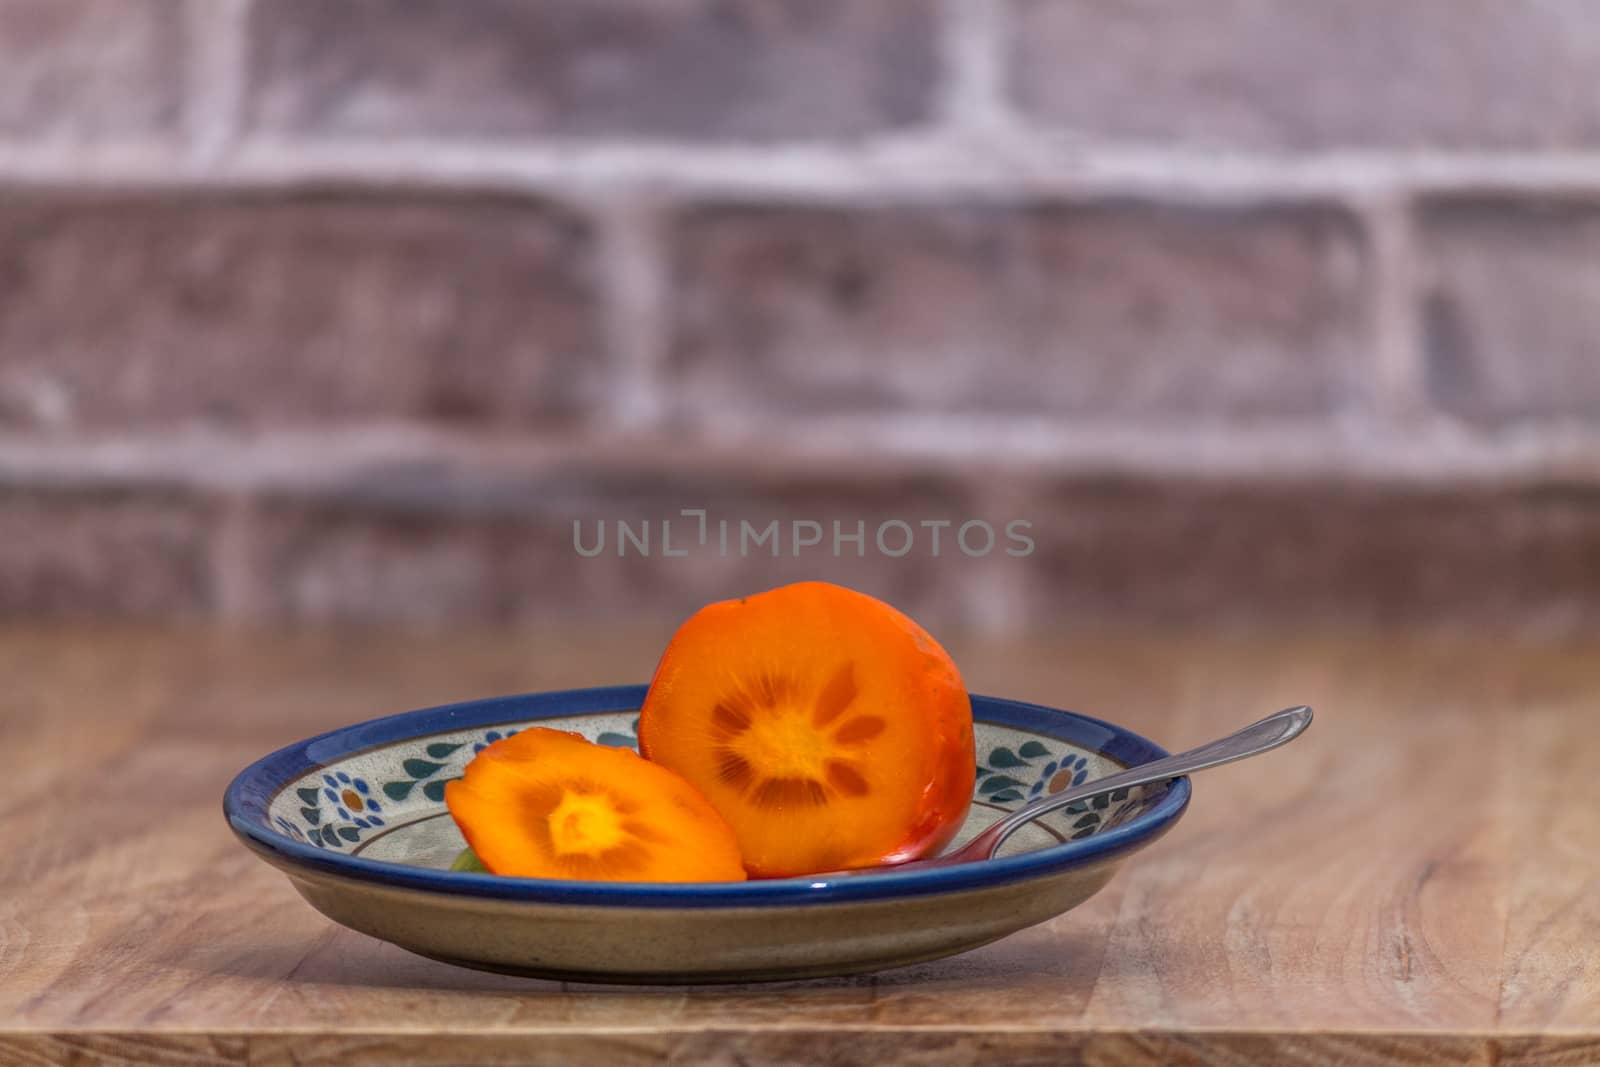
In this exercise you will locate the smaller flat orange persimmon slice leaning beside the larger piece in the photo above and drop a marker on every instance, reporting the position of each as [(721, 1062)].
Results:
[(548, 804)]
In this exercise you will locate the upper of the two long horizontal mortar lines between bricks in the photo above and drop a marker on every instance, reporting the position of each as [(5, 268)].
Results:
[(1007, 164)]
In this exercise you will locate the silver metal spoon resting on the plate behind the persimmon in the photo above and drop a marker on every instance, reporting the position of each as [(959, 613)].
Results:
[(1270, 733)]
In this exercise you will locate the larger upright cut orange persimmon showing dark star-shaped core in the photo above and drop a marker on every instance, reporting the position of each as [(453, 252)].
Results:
[(826, 727)]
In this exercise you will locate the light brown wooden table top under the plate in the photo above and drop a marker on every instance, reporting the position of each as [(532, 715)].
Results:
[(1415, 881)]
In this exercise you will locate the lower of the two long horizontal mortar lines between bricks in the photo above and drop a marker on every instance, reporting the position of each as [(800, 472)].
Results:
[(338, 458)]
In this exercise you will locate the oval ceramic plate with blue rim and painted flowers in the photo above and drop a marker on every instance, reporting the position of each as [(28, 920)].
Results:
[(358, 820)]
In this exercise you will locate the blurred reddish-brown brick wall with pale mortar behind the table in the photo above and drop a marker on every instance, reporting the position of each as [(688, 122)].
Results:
[(346, 310)]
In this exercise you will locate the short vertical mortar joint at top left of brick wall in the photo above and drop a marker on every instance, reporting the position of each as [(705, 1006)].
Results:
[(215, 78)]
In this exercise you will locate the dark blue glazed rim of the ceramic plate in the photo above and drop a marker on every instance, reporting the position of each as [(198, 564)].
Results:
[(250, 793)]
